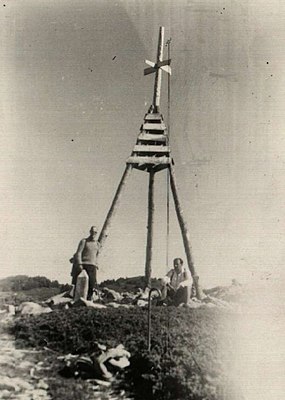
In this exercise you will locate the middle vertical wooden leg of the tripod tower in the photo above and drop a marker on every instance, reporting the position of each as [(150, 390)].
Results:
[(148, 262)]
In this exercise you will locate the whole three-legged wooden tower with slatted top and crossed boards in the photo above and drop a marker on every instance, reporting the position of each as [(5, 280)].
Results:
[(151, 154)]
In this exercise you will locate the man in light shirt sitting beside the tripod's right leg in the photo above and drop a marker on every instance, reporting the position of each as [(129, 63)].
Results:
[(176, 285)]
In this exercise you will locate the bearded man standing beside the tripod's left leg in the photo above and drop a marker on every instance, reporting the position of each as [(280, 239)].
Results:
[(86, 258)]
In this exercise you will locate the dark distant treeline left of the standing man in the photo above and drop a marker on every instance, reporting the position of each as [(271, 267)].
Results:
[(24, 282)]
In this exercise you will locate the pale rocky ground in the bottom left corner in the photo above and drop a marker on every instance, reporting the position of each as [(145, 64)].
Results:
[(31, 374)]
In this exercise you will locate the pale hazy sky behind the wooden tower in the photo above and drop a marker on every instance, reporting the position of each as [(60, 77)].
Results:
[(73, 97)]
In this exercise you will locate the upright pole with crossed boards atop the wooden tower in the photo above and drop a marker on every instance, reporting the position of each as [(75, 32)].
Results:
[(157, 68)]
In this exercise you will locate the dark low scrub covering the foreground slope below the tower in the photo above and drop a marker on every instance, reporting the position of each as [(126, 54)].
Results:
[(186, 361)]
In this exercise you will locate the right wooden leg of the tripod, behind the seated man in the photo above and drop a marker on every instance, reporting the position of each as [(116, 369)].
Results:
[(184, 231)]
